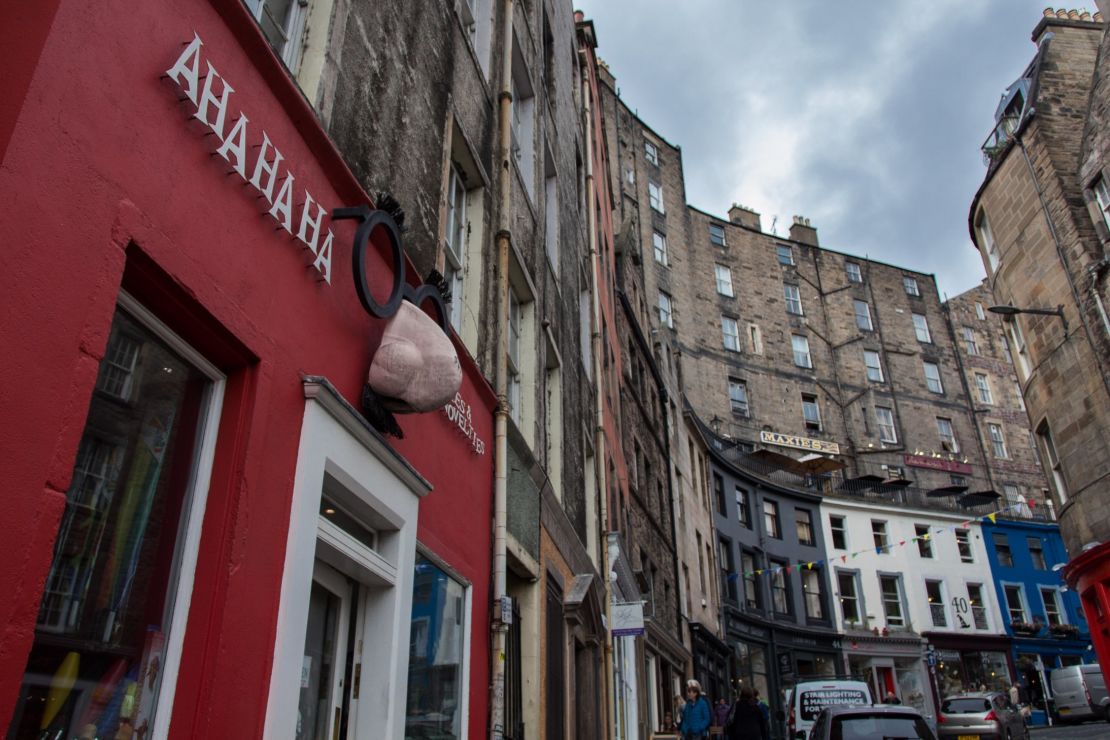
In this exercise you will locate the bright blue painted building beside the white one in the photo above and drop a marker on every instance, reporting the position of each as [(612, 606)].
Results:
[(1044, 619)]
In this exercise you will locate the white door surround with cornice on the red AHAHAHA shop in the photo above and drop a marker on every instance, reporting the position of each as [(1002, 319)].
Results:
[(337, 442)]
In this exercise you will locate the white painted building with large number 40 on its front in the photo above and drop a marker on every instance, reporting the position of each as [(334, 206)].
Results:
[(910, 583)]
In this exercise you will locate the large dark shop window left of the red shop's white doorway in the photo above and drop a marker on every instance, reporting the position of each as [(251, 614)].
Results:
[(110, 627)]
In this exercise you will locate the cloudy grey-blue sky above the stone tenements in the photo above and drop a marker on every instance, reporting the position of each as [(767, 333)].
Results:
[(866, 117)]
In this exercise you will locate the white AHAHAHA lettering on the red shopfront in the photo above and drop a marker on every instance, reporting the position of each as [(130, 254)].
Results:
[(239, 145)]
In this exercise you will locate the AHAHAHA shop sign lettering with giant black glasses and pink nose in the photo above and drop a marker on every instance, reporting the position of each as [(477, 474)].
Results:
[(416, 369)]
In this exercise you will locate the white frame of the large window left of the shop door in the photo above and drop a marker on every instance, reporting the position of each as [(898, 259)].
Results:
[(194, 508)]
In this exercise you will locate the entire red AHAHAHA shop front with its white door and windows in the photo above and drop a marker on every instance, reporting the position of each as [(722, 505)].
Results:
[(204, 535)]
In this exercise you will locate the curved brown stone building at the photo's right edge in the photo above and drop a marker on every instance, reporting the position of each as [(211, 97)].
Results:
[(1038, 222)]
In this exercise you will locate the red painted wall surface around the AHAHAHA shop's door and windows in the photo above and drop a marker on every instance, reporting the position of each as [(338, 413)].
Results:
[(107, 181)]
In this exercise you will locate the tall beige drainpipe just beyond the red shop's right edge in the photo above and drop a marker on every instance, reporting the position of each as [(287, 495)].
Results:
[(499, 629)]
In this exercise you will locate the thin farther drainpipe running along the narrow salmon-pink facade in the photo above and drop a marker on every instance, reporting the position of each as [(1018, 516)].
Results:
[(600, 457)]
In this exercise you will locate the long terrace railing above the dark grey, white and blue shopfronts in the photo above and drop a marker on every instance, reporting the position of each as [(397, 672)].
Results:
[(846, 485)]
